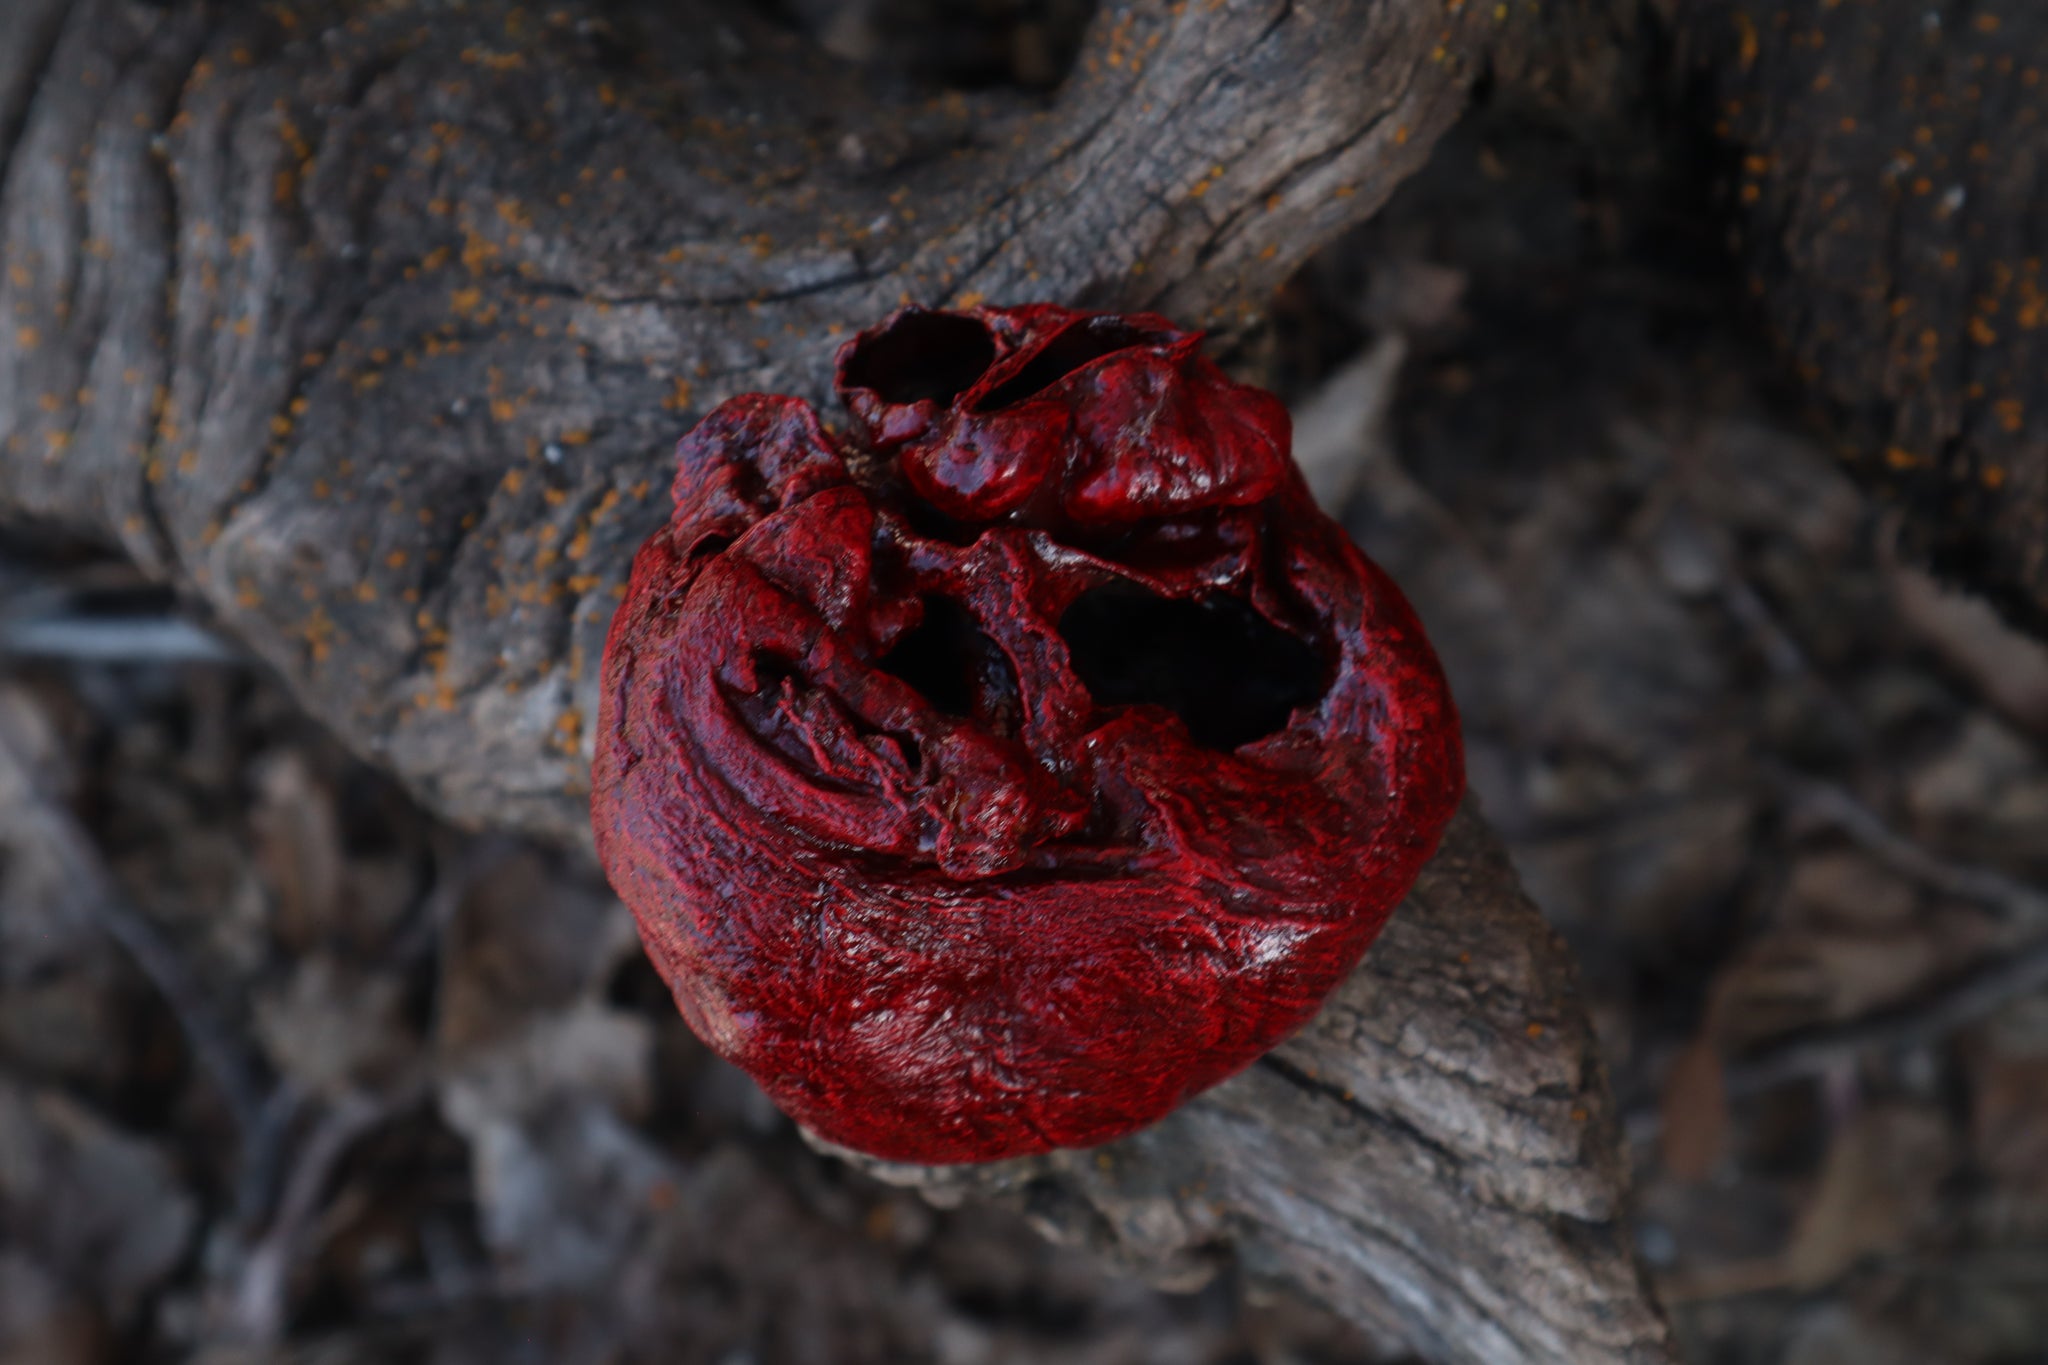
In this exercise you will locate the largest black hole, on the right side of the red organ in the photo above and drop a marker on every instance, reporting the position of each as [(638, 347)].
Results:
[(1228, 672)]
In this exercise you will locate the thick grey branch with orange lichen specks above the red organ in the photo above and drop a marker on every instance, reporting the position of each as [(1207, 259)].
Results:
[(378, 322)]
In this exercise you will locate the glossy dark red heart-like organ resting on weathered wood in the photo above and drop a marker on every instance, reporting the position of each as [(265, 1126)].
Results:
[(1002, 775)]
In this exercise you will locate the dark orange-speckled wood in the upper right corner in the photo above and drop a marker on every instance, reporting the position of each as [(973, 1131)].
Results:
[(1889, 169)]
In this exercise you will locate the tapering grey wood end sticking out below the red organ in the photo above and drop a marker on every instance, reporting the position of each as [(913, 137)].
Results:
[(1435, 1155)]
